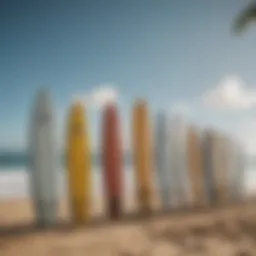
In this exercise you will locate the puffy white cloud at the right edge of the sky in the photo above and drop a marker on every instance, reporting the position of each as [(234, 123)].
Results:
[(231, 93)]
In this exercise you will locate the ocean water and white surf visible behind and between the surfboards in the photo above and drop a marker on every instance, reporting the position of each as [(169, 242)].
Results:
[(14, 176)]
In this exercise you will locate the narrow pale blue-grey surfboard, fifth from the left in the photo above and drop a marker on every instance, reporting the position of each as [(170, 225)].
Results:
[(162, 157)]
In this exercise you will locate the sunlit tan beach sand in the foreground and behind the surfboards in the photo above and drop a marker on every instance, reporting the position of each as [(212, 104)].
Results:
[(222, 231)]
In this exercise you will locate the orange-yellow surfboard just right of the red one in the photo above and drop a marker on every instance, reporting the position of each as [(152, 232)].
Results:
[(142, 155)]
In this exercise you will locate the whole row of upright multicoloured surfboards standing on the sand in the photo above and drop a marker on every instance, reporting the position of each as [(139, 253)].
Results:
[(193, 168)]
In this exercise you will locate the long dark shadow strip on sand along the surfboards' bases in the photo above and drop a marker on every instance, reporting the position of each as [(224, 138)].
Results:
[(30, 228)]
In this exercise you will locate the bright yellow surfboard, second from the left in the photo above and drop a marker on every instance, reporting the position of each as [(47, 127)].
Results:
[(79, 164)]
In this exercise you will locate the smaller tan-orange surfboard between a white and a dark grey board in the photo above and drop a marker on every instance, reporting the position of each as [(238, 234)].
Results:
[(195, 167)]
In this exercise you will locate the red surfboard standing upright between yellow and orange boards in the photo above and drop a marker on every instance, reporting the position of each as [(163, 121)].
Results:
[(112, 156)]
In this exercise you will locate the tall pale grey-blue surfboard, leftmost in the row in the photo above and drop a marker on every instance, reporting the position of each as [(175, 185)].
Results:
[(42, 156)]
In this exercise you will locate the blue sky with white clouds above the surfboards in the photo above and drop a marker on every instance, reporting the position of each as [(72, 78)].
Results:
[(180, 55)]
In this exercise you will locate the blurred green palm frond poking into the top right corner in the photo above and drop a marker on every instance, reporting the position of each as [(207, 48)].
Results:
[(247, 16)]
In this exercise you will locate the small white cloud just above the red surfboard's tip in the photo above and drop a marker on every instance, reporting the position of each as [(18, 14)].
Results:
[(99, 96)]
